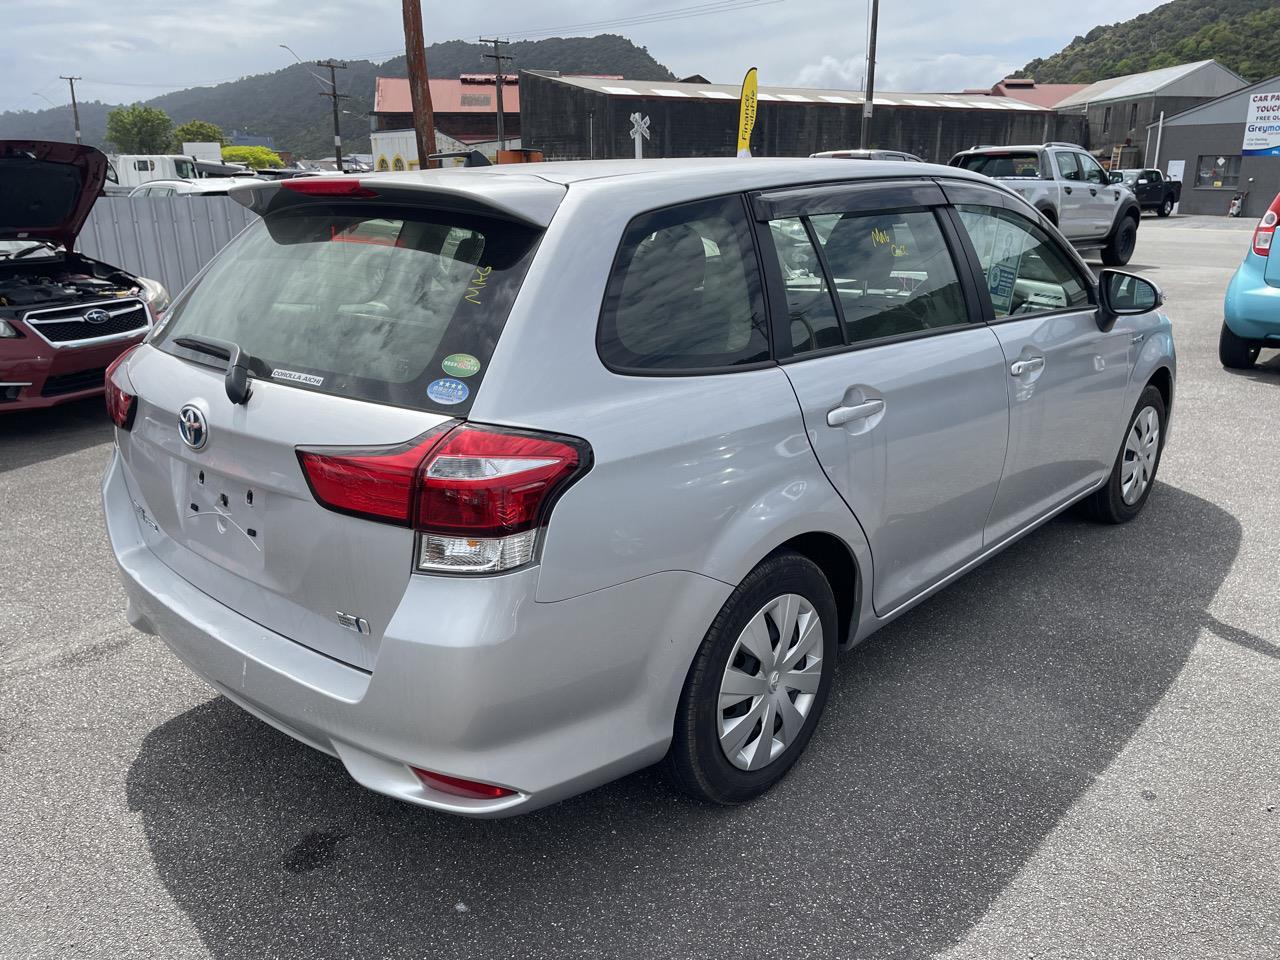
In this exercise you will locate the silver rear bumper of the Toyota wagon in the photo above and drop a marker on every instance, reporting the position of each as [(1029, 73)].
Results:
[(474, 679)]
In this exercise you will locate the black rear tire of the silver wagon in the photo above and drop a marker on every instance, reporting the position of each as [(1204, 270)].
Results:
[(697, 765)]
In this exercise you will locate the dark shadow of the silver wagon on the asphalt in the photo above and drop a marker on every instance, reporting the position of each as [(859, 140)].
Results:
[(956, 740)]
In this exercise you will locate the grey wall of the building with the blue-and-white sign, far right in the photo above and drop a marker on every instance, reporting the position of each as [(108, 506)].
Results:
[(1188, 143)]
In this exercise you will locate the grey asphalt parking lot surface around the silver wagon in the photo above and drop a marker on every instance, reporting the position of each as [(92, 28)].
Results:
[(1071, 753)]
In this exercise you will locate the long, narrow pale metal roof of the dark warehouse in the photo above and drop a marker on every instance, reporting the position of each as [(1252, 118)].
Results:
[(652, 90)]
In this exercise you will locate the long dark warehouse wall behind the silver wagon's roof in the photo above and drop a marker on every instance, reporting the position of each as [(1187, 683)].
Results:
[(573, 124)]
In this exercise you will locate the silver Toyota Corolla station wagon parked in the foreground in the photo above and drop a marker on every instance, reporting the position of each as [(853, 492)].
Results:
[(500, 484)]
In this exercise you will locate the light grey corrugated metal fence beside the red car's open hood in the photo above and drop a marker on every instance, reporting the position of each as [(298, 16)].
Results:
[(166, 239)]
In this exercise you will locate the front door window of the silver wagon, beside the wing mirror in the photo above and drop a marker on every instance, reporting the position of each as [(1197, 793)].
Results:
[(1026, 271)]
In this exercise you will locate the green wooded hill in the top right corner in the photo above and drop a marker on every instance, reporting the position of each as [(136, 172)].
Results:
[(1244, 35)]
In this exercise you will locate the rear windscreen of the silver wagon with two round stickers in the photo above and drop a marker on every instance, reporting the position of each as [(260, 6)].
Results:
[(360, 301)]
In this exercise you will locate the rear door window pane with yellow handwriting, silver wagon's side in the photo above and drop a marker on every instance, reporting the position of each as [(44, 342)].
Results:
[(893, 273)]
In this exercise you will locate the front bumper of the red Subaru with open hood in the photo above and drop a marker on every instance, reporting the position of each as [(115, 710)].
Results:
[(35, 376)]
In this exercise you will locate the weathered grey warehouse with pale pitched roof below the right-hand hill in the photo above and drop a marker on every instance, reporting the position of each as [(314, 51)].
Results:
[(1119, 111)]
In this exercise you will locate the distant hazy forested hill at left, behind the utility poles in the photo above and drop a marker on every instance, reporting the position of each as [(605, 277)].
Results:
[(287, 104)]
